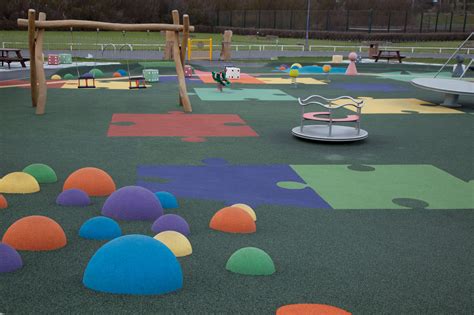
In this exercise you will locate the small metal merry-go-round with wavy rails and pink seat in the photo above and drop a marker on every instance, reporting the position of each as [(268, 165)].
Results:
[(330, 131)]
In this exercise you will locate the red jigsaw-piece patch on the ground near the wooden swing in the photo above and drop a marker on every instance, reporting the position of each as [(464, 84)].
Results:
[(191, 127)]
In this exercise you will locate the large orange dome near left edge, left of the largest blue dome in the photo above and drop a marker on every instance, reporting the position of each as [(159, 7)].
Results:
[(35, 233)]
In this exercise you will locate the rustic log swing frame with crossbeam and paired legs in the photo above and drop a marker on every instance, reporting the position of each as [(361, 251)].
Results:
[(36, 29)]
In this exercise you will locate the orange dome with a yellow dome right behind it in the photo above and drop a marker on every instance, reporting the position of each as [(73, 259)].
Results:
[(233, 220)]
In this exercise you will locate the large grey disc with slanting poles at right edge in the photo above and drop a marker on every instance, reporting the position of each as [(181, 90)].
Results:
[(451, 88)]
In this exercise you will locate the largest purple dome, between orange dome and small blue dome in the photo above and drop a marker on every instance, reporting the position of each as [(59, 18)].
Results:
[(132, 203)]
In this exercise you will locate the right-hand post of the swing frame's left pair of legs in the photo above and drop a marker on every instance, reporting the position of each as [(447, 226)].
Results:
[(41, 77)]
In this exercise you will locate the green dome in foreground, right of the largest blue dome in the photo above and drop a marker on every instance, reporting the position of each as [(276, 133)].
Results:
[(251, 261)]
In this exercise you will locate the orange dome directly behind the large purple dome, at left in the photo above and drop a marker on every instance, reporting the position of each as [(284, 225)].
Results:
[(94, 181)]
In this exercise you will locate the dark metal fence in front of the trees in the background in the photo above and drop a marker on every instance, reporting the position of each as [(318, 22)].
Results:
[(350, 21)]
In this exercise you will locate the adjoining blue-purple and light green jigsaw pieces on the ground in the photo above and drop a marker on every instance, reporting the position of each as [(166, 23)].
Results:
[(313, 186)]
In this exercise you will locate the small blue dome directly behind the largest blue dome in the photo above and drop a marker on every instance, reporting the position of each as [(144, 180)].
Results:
[(100, 228)]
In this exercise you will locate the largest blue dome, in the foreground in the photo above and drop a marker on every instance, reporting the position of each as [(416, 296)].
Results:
[(134, 264)]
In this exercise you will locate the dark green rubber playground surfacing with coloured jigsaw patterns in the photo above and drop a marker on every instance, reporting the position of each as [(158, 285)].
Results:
[(387, 247)]
